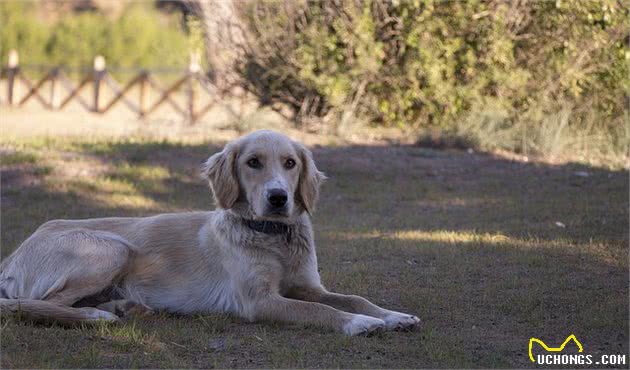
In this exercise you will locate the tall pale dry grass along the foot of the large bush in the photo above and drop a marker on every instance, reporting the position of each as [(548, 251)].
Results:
[(555, 138)]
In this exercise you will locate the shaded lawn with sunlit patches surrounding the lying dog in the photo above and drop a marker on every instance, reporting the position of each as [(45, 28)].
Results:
[(471, 243)]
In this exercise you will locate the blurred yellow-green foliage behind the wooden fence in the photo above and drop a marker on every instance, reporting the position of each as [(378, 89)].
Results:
[(140, 37)]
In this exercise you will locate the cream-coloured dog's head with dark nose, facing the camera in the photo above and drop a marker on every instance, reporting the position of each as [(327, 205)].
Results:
[(264, 175)]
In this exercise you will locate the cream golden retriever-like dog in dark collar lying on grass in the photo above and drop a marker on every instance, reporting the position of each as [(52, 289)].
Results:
[(254, 256)]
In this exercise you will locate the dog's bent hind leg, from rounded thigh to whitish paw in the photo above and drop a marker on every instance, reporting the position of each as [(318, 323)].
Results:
[(54, 269)]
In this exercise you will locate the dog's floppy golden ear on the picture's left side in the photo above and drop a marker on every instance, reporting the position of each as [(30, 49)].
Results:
[(220, 171)]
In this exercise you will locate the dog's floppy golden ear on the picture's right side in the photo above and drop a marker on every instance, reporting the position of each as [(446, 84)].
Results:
[(310, 180)]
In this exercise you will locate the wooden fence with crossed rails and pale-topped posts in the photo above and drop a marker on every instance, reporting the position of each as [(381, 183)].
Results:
[(99, 76)]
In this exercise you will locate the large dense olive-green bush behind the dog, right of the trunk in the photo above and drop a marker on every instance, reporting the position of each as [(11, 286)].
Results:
[(440, 64)]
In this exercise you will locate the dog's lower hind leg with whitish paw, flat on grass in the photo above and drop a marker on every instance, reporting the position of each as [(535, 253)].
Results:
[(39, 310)]
